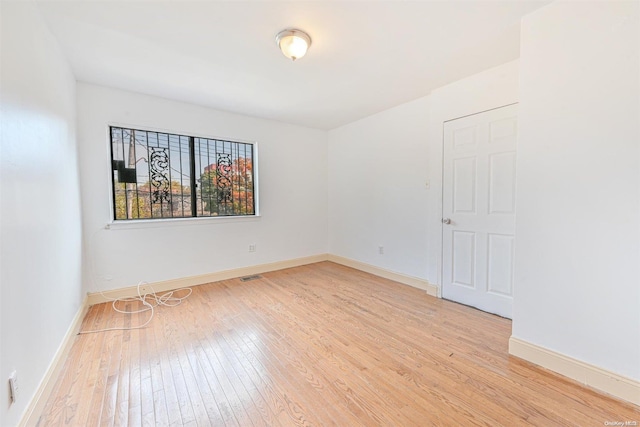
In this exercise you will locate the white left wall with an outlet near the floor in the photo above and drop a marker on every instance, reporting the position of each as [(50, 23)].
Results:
[(40, 248)]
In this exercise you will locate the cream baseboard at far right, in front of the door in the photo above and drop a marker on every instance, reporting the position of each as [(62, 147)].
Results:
[(592, 376)]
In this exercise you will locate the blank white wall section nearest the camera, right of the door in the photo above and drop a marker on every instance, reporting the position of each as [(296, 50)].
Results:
[(577, 274)]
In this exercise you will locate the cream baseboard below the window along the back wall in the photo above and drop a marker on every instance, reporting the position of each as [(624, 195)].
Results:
[(169, 285)]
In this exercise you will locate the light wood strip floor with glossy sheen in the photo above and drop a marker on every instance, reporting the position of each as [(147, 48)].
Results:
[(316, 345)]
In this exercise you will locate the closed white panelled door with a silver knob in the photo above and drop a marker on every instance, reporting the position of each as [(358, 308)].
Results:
[(478, 209)]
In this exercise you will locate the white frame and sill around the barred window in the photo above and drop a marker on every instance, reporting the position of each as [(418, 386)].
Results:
[(171, 221)]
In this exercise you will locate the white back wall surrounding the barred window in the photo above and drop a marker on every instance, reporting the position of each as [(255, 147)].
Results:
[(293, 194)]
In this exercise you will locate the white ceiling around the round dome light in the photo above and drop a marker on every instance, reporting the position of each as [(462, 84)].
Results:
[(365, 56)]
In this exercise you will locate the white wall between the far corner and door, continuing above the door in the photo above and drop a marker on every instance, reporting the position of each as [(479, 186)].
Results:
[(379, 166)]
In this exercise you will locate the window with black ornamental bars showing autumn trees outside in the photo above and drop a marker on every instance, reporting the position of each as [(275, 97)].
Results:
[(162, 175)]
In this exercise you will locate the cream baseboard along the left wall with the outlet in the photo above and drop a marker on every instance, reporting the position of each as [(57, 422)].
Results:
[(39, 400)]
